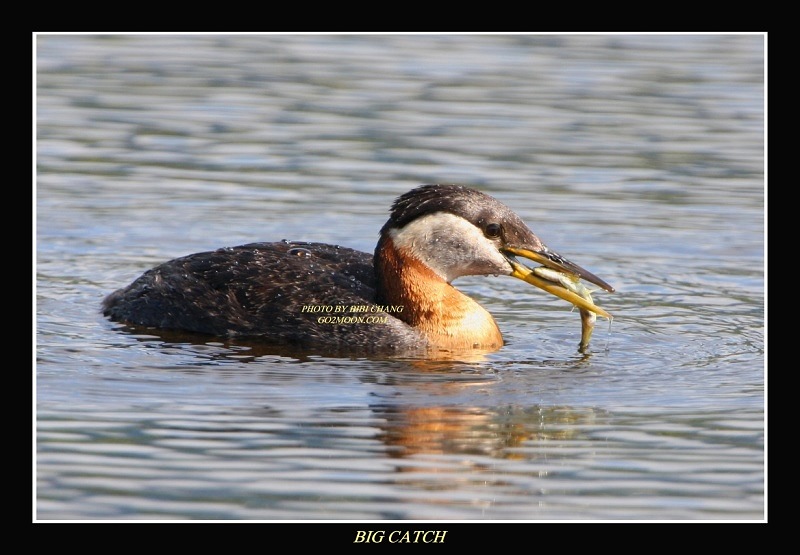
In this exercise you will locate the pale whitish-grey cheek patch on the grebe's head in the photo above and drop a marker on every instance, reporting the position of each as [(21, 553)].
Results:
[(450, 246)]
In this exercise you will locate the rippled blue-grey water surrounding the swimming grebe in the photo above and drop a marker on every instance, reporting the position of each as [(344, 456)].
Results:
[(641, 158)]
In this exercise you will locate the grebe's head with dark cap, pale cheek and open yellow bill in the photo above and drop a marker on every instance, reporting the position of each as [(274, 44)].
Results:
[(457, 231)]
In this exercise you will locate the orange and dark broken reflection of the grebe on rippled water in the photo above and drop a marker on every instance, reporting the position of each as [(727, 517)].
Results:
[(411, 429)]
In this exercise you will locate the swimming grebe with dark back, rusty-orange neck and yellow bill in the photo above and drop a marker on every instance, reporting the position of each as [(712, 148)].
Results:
[(314, 295)]
